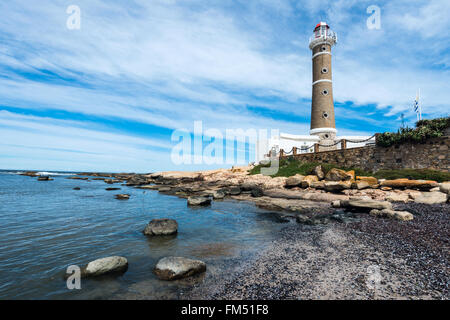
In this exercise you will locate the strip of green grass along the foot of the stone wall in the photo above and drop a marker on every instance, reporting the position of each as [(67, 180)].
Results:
[(290, 167)]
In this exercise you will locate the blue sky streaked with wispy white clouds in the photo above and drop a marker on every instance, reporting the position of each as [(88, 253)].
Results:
[(108, 96)]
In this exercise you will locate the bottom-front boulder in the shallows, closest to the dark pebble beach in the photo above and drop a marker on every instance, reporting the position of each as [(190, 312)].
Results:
[(172, 268)]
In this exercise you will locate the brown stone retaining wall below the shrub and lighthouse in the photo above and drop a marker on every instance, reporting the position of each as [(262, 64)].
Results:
[(434, 154)]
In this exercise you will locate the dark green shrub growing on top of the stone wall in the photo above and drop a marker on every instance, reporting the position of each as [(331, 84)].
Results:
[(425, 129)]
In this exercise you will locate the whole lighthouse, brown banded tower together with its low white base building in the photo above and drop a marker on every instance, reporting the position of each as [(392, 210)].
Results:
[(322, 135)]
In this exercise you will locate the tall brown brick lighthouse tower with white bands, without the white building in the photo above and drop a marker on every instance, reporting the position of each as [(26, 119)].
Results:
[(322, 108)]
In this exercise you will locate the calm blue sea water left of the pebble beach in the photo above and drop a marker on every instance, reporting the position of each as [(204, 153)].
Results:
[(46, 226)]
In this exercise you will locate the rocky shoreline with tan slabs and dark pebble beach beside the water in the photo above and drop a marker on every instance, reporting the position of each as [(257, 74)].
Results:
[(349, 238)]
